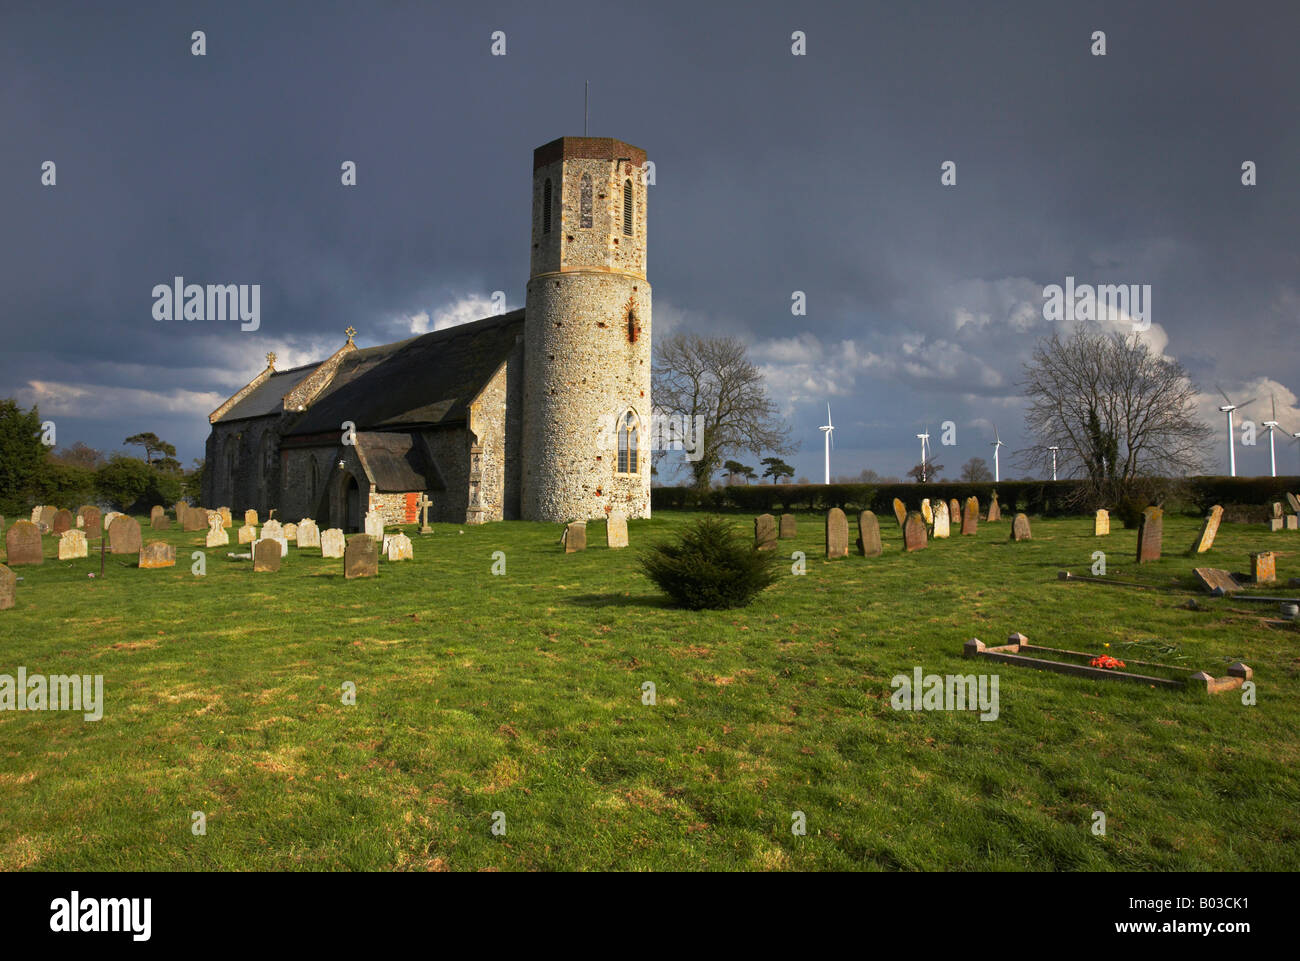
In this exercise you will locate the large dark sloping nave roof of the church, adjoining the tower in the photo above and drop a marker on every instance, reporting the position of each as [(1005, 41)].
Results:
[(426, 382)]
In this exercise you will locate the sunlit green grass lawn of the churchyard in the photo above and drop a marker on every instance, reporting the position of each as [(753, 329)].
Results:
[(522, 694)]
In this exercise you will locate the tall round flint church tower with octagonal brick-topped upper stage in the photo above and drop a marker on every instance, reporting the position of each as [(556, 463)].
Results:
[(587, 335)]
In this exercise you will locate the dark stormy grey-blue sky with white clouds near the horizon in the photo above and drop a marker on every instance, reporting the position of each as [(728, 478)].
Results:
[(774, 174)]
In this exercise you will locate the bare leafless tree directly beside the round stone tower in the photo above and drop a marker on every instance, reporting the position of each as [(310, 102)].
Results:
[(714, 379)]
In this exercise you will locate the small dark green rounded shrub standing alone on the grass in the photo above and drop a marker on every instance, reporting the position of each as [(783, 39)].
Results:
[(710, 566)]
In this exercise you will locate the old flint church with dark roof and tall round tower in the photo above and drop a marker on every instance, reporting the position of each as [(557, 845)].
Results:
[(540, 414)]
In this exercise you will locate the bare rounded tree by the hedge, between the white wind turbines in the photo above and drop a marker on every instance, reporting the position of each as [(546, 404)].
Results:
[(1119, 413)]
